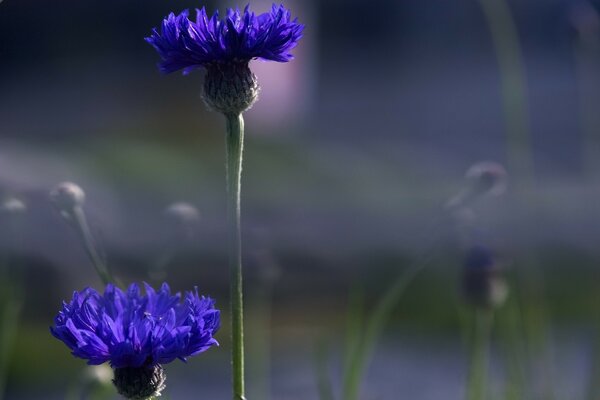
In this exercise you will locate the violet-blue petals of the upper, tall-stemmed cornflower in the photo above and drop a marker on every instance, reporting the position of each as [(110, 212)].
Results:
[(185, 44)]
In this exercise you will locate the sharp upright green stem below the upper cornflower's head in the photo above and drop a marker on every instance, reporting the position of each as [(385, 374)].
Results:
[(235, 147)]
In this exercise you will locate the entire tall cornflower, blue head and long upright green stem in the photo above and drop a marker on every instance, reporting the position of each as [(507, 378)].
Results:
[(224, 47)]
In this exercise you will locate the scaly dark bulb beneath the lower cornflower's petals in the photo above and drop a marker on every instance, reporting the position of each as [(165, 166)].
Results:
[(140, 383)]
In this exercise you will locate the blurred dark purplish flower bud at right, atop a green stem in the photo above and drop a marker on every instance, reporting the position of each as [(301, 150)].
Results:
[(483, 281)]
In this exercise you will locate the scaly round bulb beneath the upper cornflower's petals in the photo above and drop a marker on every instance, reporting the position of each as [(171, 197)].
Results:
[(230, 88)]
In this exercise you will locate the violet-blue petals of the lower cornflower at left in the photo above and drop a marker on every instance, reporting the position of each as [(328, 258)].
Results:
[(131, 329)]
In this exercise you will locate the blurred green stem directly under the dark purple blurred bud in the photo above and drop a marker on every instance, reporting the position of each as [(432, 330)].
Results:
[(480, 349)]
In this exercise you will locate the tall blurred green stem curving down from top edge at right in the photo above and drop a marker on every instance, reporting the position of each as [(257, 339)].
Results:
[(505, 36)]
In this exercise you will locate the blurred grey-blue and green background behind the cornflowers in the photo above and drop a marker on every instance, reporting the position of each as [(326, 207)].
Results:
[(352, 154)]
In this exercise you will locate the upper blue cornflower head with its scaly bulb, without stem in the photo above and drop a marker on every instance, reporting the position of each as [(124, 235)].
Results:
[(225, 47)]
